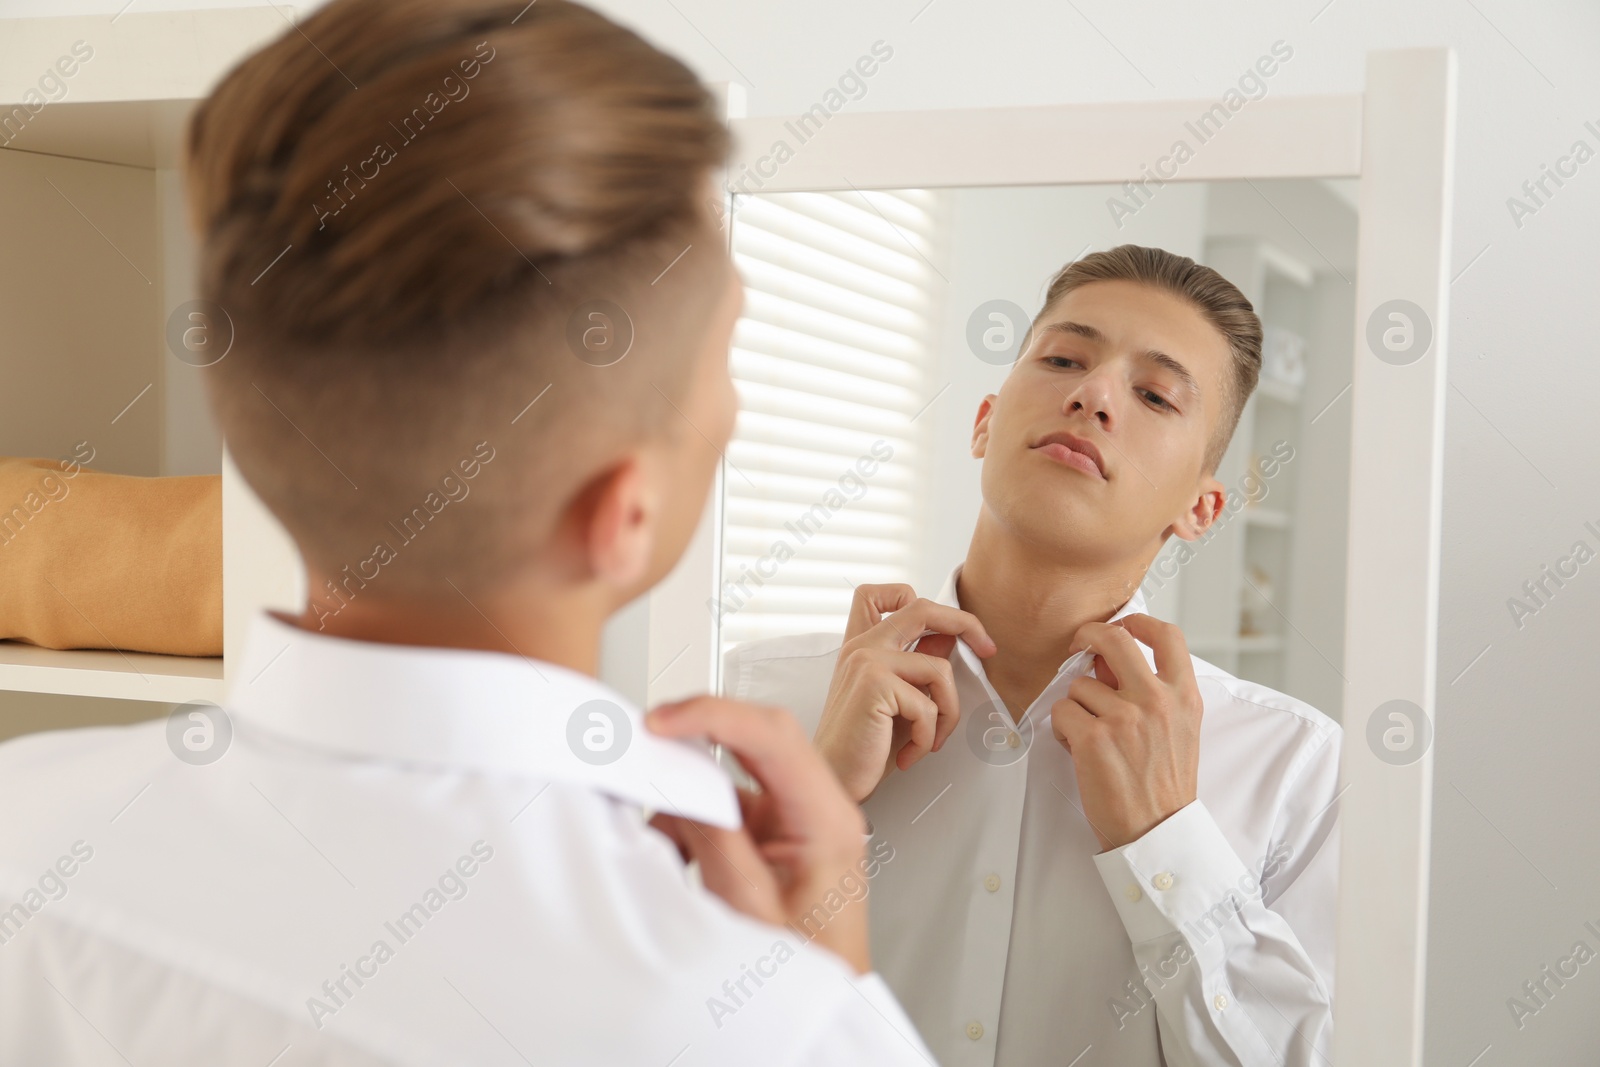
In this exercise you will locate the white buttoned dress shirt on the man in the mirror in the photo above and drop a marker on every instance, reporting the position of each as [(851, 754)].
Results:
[(1012, 943)]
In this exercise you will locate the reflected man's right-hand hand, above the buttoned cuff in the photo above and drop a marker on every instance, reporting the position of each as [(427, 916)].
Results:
[(1134, 733)]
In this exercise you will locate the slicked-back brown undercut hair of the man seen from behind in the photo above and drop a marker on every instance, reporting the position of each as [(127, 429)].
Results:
[(442, 231)]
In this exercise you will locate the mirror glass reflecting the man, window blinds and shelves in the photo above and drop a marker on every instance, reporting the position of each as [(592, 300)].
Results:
[(1070, 852)]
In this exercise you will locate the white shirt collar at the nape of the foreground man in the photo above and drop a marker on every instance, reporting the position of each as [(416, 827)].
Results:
[(468, 709)]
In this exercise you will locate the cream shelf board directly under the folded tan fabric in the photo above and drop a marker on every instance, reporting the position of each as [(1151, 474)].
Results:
[(111, 674)]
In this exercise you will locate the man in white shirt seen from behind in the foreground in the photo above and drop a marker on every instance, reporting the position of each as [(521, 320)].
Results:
[(415, 834)]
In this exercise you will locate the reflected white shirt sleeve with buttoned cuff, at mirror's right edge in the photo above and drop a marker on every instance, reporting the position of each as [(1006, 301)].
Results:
[(1238, 961)]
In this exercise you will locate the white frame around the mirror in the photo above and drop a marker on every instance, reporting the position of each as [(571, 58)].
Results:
[(1399, 138)]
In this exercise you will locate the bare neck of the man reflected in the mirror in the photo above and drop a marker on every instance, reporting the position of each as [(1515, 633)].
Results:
[(1033, 604)]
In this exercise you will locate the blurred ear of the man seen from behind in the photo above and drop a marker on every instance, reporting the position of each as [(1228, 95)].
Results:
[(615, 521)]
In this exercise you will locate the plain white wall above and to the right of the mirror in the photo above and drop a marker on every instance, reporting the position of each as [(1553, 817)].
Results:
[(1518, 828)]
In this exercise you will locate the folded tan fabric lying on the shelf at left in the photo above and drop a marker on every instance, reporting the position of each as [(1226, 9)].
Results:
[(108, 561)]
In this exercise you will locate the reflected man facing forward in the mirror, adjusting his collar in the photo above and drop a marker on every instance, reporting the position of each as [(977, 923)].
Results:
[(1108, 852)]
